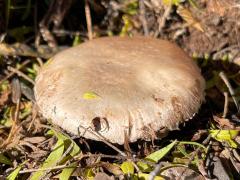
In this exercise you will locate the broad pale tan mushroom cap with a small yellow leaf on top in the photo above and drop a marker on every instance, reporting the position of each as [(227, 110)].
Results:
[(118, 87)]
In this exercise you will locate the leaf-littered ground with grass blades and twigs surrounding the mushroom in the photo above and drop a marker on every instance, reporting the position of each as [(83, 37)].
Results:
[(206, 147)]
